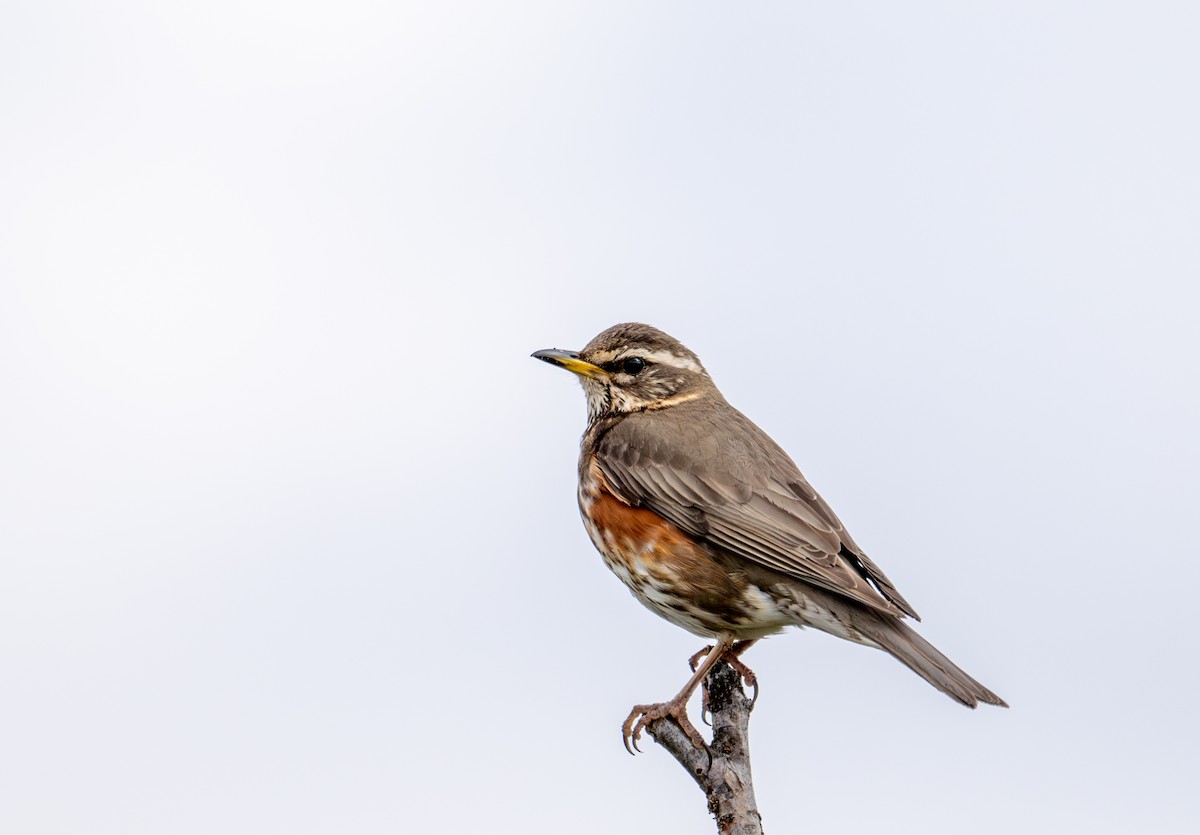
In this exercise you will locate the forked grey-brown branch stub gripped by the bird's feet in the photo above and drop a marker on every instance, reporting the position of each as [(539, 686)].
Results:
[(723, 768)]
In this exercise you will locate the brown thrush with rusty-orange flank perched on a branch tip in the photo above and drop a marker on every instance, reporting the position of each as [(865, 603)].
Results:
[(712, 526)]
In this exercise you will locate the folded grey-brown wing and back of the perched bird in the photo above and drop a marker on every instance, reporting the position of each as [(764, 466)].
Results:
[(709, 470)]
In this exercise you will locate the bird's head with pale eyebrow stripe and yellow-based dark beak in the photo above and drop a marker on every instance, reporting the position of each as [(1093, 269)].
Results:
[(633, 368)]
